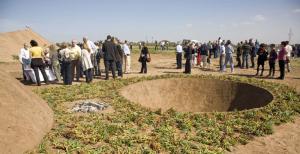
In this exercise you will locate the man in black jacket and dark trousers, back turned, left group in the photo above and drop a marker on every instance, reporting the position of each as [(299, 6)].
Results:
[(109, 50)]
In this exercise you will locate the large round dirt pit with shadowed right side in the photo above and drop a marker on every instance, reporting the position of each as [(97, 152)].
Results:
[(197, 95)]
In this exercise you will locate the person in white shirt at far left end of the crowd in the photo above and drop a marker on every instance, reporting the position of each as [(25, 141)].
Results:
[(24, 58)]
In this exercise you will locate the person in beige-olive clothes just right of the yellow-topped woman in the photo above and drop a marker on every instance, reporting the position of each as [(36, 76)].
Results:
[(55, 65)]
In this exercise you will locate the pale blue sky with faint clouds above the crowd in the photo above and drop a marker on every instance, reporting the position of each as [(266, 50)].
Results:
[(63, 20)]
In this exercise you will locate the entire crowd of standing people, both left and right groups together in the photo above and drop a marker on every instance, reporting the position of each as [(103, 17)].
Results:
[(69, 62)]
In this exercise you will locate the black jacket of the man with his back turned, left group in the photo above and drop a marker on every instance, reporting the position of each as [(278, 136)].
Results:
[(109, 49)]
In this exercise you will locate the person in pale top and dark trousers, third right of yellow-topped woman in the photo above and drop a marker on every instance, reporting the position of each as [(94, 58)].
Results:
[(66, 64)]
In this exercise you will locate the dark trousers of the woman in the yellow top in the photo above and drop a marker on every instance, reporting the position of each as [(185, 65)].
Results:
[(36, 64)]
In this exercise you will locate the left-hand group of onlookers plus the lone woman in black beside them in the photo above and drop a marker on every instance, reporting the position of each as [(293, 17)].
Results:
[(70, 61)]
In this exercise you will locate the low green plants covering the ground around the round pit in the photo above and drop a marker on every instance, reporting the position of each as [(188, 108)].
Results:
[(135, 129)]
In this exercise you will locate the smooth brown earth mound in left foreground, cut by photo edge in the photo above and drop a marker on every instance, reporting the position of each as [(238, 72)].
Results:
[(25, 118)]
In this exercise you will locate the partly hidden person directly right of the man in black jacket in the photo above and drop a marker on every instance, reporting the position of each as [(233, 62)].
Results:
[(119, 57)]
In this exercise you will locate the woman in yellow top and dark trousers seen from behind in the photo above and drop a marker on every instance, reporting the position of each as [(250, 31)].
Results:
[(37, 62)]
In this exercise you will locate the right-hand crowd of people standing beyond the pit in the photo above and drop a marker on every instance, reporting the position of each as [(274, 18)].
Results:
[(247, 51)]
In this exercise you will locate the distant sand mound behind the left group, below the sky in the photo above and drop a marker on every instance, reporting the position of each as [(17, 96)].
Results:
[(12, 42)]
